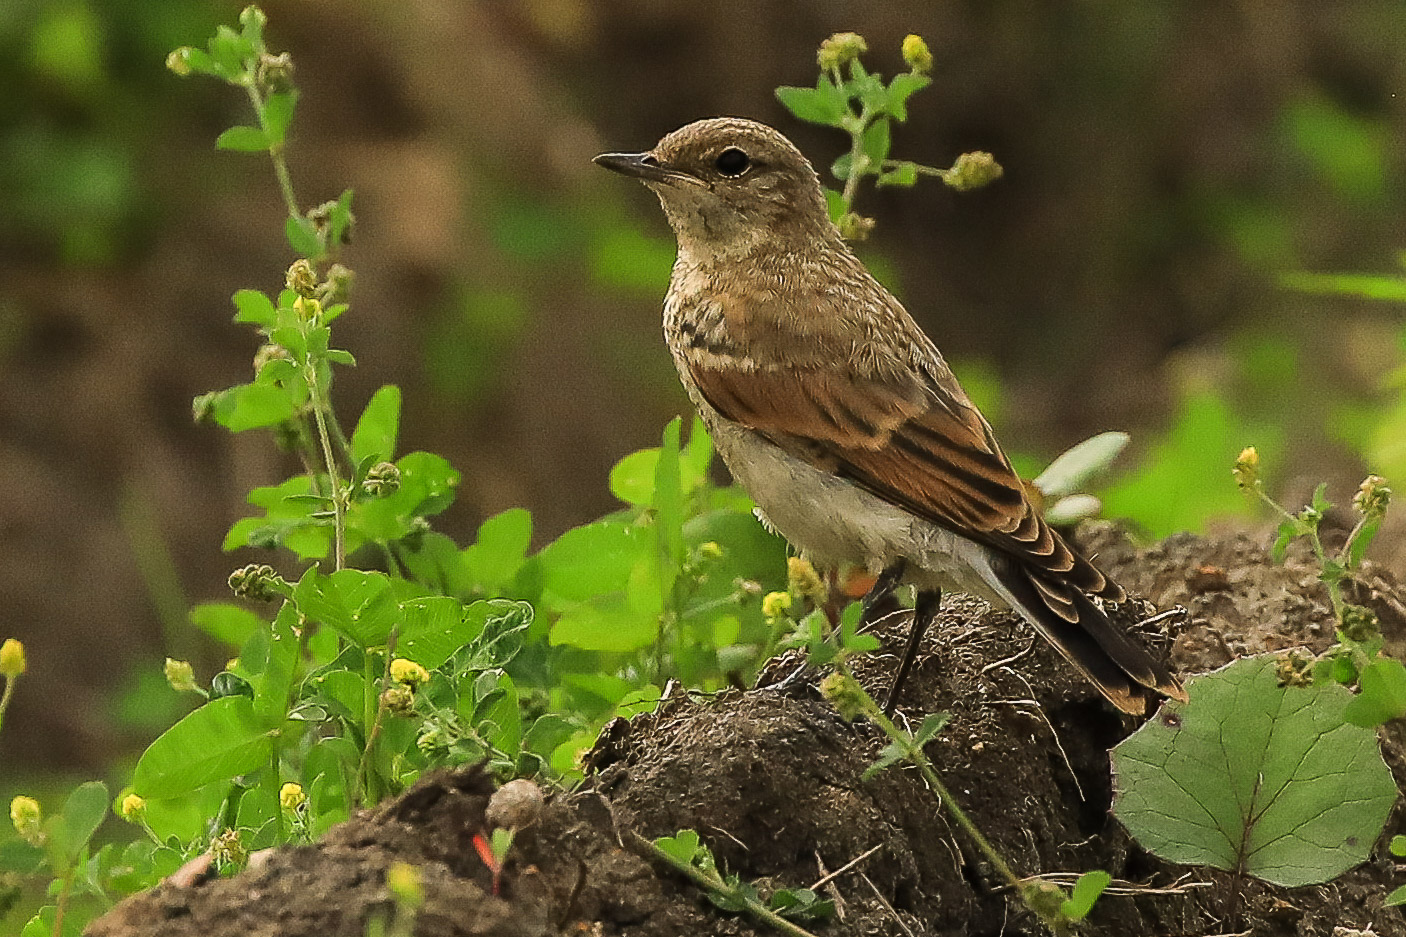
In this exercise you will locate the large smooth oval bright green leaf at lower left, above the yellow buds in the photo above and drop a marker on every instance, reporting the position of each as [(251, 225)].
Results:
[(220, 741)]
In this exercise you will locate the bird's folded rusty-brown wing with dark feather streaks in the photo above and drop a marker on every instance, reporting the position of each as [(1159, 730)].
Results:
[(917, 444)]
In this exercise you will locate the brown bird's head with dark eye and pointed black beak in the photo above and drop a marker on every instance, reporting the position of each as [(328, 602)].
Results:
[(729, 186)]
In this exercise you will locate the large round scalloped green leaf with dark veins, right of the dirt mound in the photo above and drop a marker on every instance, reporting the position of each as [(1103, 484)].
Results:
[(1255, 777)]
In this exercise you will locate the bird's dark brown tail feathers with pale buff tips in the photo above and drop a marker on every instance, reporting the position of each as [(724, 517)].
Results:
[(1109, 656)]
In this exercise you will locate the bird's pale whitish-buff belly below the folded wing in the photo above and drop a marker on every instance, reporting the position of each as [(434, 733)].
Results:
[(833, 521)]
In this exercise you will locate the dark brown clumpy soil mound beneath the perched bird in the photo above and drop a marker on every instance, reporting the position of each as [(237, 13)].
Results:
[(771, 780)]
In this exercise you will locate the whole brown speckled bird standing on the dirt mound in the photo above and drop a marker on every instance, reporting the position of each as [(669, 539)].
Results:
[(840, 417)]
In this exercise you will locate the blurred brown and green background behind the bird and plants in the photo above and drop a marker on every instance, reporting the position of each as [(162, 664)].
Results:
[(1166, 165)]
